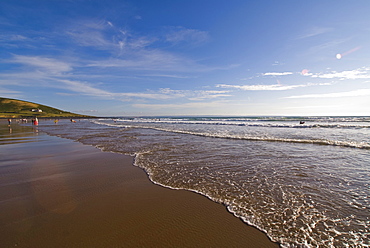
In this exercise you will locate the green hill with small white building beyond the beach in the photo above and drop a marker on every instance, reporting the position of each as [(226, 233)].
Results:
[(12, 108)]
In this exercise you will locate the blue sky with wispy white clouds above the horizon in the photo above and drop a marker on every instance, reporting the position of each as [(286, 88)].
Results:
[(124, 58)]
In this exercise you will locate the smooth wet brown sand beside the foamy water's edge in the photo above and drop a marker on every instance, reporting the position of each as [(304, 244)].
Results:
[(56, 192)]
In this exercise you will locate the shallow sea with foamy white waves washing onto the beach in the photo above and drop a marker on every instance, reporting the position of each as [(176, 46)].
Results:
[(304, 181)]
